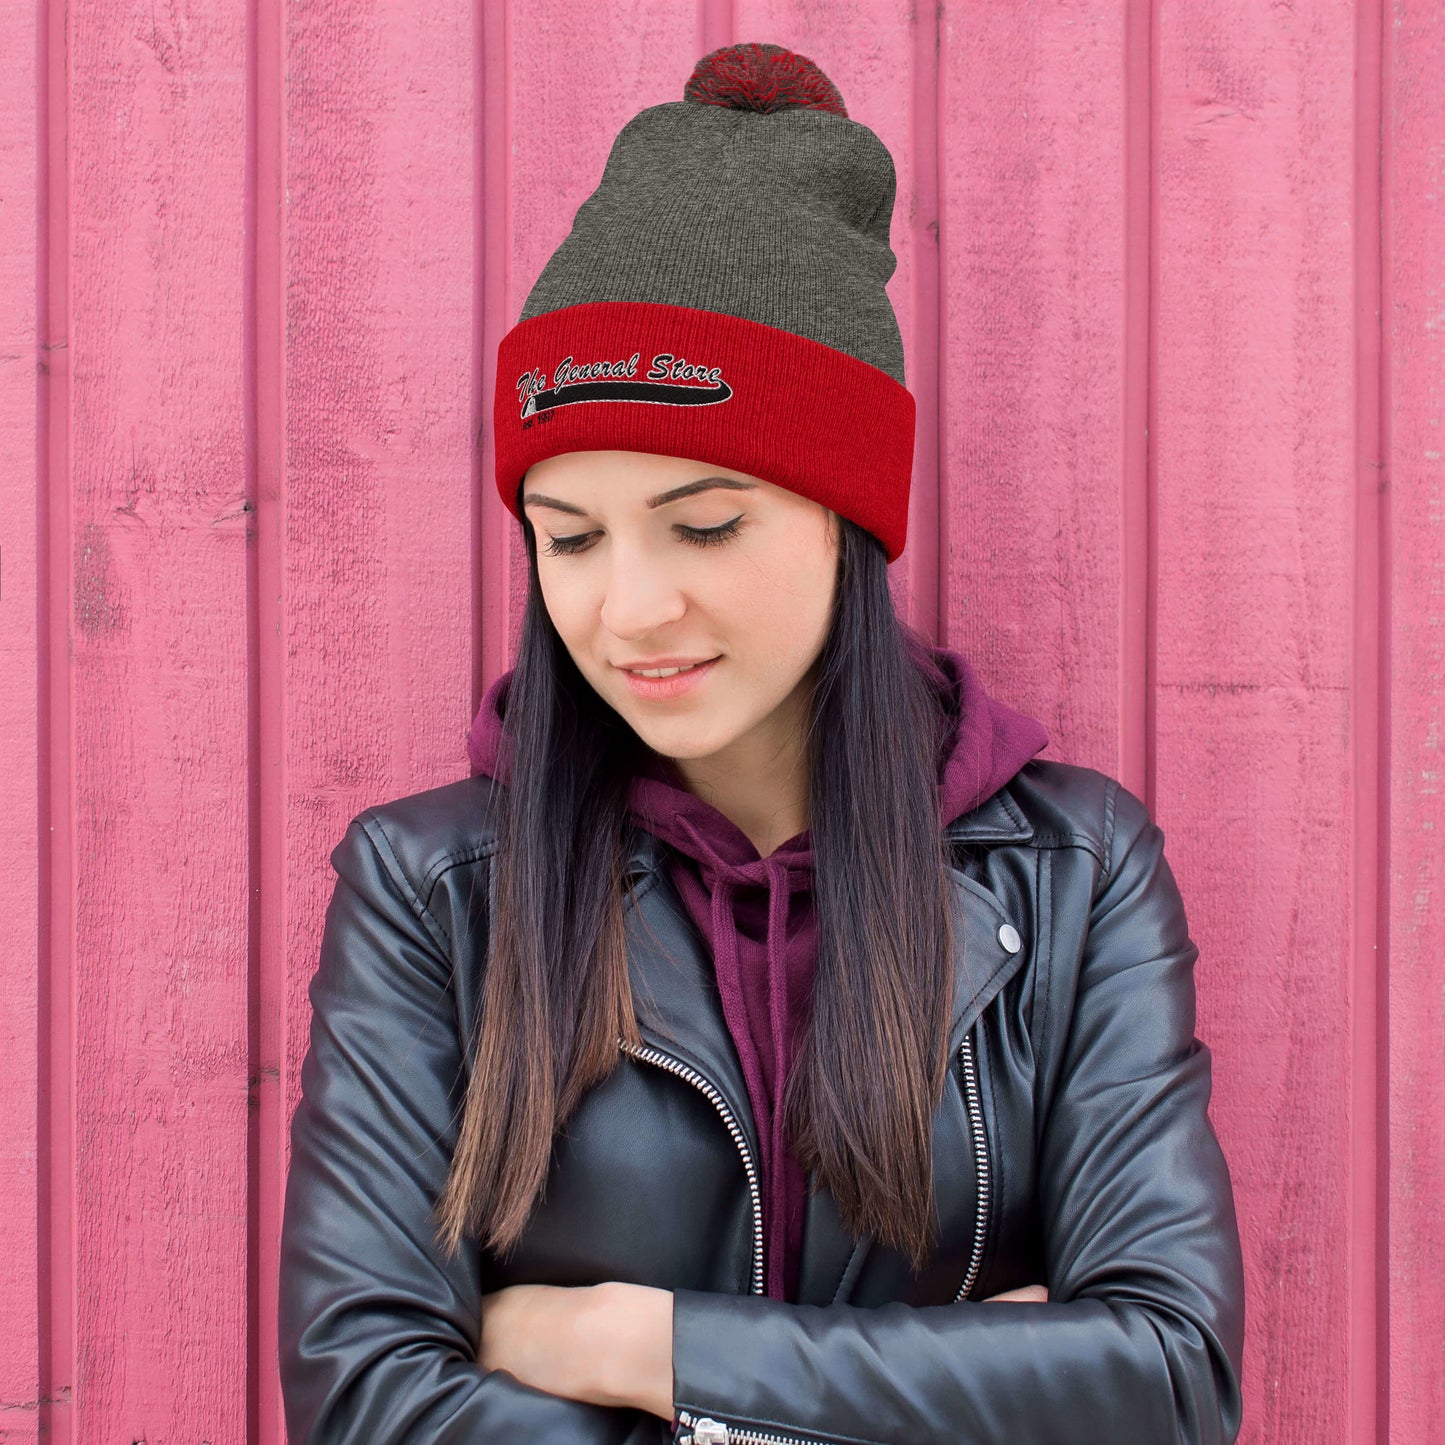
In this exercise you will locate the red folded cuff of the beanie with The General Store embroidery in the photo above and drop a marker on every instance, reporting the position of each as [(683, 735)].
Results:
[(722, 389)]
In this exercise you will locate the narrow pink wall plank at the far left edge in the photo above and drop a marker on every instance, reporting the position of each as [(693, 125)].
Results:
[(21, 709)]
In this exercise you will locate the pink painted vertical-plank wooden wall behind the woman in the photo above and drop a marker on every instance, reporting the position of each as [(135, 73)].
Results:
[(1171, 281)]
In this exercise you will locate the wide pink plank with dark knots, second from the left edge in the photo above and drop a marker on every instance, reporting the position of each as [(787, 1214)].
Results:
[(158, 654)]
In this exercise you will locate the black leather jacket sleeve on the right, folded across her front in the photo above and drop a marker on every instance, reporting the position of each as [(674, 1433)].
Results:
[(1142, 1336)]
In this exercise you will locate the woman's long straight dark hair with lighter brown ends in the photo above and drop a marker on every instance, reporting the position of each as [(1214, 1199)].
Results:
[(860, 1100)]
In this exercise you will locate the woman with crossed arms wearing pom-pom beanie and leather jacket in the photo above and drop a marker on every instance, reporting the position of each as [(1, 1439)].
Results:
[(762, 1002)]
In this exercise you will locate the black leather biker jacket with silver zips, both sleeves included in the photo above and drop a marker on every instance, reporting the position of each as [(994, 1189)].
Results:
[(1073, 1148)]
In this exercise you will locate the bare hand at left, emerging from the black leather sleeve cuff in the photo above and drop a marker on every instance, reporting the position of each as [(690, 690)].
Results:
[(602, 1345)]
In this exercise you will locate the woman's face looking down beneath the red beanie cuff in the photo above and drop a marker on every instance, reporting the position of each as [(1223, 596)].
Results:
[(631, 579)]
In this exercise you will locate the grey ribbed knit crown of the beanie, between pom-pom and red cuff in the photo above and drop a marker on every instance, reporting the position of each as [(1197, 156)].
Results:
[(781, 219)]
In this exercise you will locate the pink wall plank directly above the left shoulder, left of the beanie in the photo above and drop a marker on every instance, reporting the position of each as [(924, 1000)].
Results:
[(376, 517)]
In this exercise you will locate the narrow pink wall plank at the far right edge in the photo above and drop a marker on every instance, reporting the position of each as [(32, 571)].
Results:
[(1415, 579)]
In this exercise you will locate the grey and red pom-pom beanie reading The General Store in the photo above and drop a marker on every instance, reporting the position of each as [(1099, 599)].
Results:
[(722, 297)]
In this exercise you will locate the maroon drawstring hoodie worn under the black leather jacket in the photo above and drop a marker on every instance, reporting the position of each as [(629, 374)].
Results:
[(758, 914)]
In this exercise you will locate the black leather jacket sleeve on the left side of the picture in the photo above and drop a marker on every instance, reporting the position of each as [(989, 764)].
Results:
[(378, 1329)]
